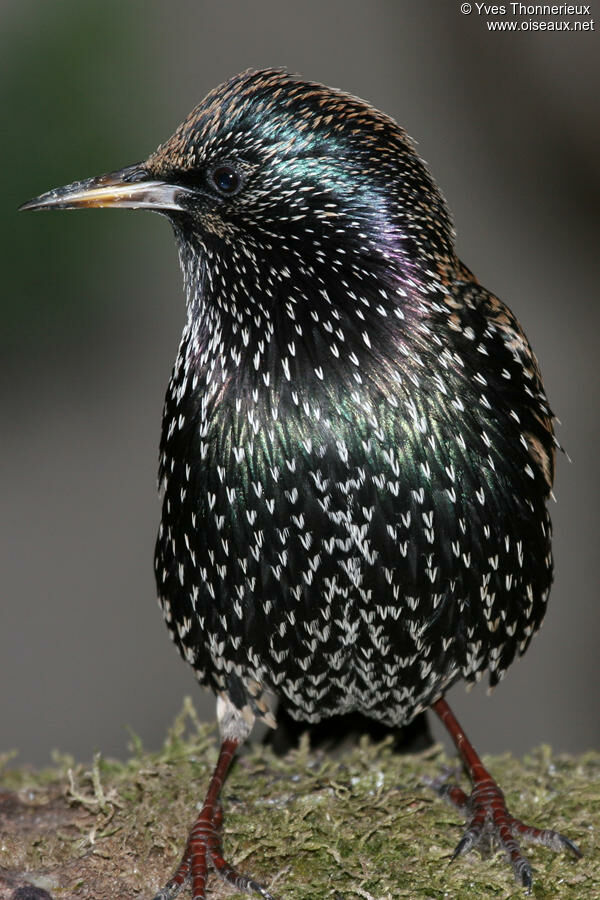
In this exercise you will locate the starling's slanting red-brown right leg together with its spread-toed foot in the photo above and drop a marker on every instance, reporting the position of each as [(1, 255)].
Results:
[(488, 819)]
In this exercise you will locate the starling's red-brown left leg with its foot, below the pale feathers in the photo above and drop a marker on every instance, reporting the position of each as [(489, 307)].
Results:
[(203, 850)]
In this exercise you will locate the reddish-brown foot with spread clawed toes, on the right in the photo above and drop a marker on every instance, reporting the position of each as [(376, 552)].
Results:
[(490, 824)]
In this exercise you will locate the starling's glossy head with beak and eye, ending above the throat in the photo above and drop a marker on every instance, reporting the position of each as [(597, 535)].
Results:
[(293, 167)]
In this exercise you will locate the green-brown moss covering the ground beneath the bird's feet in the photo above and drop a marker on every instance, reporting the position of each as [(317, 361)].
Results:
[(365, 825)]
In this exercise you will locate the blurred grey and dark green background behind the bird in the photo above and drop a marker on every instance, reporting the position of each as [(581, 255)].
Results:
[(92, 309)]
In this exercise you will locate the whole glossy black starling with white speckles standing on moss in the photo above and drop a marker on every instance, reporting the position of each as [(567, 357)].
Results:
[(357, 449)]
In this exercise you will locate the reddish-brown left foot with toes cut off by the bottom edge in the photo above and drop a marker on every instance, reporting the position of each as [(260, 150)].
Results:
[(203, 853)]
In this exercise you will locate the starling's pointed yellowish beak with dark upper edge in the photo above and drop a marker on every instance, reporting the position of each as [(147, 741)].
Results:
[(129, 188)]
